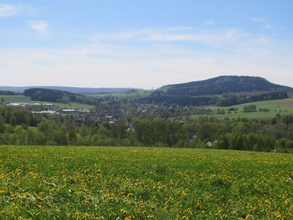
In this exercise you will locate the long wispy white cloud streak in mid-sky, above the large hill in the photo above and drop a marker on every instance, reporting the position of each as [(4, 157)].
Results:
[(217, 37)]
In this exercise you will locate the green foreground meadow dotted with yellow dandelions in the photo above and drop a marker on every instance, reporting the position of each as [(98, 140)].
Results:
[(143, 183)]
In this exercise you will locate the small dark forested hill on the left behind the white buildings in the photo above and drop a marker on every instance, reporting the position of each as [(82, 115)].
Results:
[(52, 95)]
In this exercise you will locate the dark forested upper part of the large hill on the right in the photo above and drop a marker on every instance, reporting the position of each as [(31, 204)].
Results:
[(224, 84)]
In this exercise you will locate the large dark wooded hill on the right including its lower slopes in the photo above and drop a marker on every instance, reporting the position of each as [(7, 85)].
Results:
[(220, 91)]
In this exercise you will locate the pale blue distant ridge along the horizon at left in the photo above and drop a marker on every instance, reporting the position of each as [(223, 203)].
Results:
[(80, 90)]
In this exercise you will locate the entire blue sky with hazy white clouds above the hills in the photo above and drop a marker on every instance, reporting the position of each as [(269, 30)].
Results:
[(143, 43)]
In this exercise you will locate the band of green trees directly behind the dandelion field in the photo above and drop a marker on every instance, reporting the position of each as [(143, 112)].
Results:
[(20, 127)]
